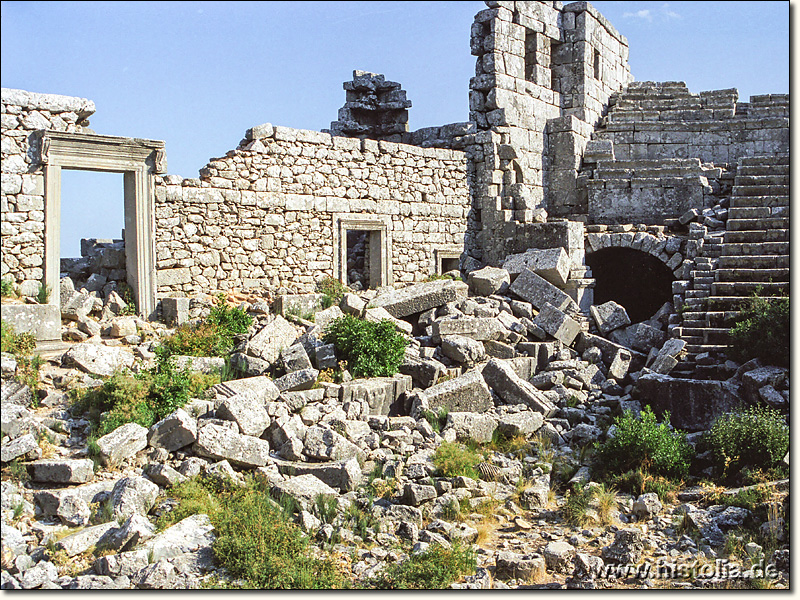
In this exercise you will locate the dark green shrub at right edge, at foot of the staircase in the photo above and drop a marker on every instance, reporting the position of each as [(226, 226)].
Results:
[(762, 331)]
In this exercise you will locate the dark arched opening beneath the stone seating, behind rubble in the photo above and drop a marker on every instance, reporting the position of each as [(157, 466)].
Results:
[(636, 280)]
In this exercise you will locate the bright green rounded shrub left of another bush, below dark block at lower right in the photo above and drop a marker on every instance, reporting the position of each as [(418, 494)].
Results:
[(643, 443)]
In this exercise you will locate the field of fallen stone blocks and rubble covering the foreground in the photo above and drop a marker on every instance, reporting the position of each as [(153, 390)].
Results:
[(505, 355)]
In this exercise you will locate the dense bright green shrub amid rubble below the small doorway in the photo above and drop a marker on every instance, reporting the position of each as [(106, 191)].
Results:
[(370, 349)]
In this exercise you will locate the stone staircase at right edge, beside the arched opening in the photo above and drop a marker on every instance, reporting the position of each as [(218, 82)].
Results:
[(752, 255)]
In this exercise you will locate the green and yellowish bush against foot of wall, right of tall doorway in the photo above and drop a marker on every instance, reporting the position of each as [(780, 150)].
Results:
[(214, 335)]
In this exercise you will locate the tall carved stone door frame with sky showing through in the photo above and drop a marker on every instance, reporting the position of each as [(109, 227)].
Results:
[(139, 161)]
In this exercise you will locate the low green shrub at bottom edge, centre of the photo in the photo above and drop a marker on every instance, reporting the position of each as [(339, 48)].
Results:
[(434, 569)]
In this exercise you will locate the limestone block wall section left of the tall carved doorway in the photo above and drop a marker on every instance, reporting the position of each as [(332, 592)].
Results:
[(22, 217)]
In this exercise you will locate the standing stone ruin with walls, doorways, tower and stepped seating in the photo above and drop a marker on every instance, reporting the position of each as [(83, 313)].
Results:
[(562, 150)]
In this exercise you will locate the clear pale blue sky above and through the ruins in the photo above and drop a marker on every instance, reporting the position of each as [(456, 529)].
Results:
[(198, 74)]
